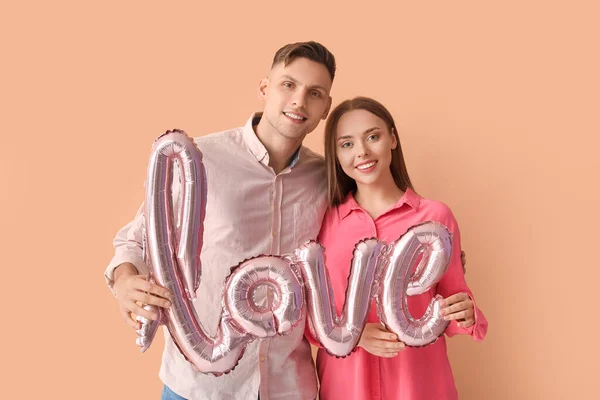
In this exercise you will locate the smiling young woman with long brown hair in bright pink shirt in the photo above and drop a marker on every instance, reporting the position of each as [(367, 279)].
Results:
[(370, 195)]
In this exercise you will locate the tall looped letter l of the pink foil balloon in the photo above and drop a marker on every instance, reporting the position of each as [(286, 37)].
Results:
[(173, 253)]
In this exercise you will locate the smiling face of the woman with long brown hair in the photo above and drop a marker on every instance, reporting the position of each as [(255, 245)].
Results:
[(364, 147)]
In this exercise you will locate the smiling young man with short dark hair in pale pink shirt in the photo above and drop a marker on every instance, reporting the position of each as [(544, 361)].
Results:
[(266, 194)]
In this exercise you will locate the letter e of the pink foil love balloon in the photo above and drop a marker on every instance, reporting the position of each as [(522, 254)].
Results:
[(430, 242)]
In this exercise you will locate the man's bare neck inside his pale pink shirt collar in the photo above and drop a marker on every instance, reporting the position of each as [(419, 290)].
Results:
[(281, 149)]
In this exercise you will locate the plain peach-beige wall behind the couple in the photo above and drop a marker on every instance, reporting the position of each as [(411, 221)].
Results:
[(498, 106)]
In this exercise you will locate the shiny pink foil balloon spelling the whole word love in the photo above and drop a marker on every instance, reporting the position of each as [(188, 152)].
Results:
[(381, 271)]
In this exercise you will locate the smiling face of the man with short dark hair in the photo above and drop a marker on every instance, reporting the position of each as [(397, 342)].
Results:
[(296, 97)]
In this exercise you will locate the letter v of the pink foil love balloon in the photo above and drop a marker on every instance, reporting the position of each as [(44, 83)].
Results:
[(339, 335)]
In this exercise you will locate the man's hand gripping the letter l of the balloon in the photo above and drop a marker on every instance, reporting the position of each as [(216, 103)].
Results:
[(132, 288)]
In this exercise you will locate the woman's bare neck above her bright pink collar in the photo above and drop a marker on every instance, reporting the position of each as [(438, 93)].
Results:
[(376, 199)]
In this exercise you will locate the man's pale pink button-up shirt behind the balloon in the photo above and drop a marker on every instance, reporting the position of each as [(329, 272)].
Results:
[(250, 211)]
